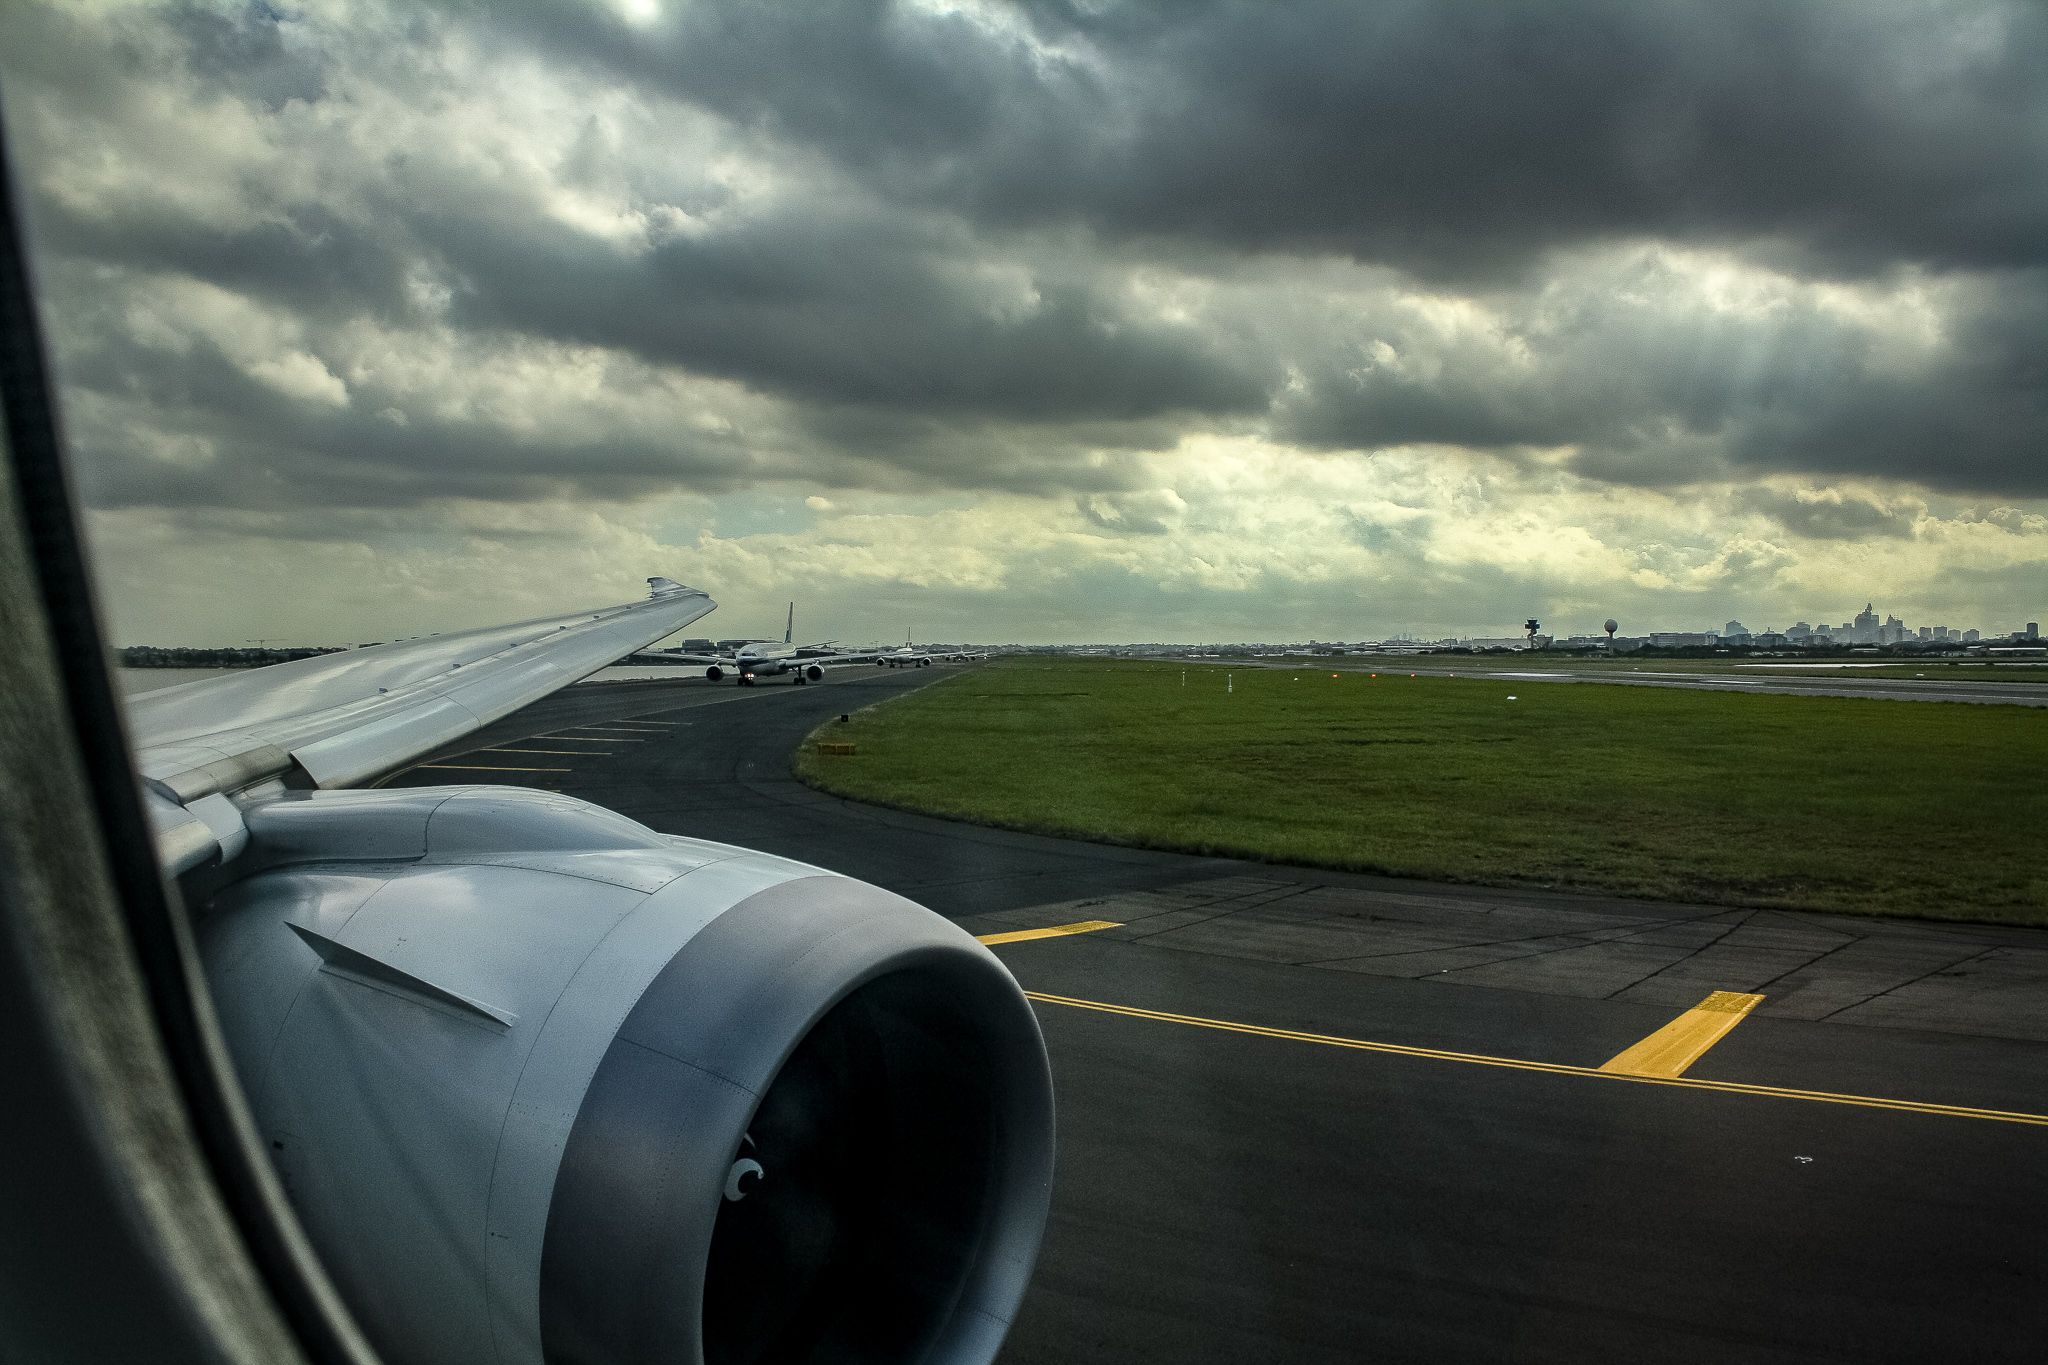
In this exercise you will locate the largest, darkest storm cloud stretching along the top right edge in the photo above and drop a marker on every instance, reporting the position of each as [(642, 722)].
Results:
[(1453, 140)]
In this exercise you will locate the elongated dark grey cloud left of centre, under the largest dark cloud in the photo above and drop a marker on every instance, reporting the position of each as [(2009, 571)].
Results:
[(841, 310)]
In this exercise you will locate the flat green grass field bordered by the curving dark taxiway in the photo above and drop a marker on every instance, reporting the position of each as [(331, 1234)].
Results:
[(1779, 801)]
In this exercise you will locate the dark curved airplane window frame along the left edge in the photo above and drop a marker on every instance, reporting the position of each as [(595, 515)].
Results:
[(91, 932)]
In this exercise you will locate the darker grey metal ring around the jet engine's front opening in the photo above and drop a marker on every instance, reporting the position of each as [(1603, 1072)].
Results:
[(644, 1172)]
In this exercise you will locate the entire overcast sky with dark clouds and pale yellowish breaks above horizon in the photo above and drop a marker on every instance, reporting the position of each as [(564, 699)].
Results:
[(1050, 322)]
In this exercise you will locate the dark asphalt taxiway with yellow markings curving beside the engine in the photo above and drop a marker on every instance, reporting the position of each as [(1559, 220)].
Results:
[(1326, 1118)]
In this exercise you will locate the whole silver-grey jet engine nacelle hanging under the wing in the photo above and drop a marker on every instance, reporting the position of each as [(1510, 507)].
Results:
[(548, 1086)]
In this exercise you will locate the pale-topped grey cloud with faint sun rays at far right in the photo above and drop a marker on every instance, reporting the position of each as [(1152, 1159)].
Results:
[(1656, 392)]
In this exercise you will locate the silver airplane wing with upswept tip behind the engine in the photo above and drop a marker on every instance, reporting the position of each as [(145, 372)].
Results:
[(355, 715)]
